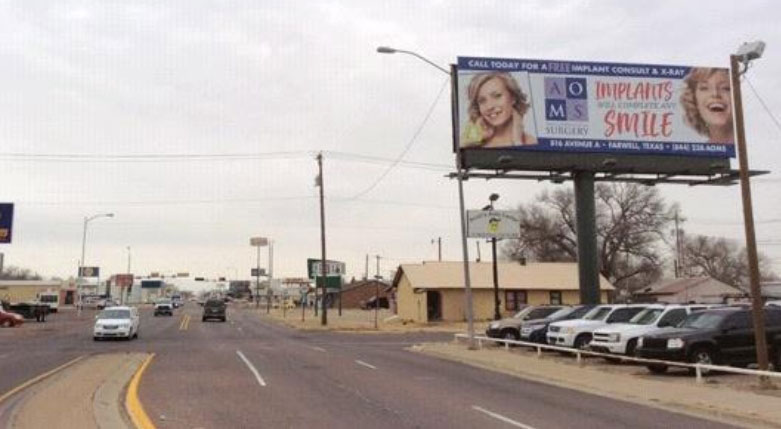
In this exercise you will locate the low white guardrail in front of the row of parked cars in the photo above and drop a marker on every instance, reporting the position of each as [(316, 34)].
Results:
[(698, 367)]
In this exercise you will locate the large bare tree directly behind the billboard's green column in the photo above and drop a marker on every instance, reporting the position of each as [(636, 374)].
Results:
[(631, 223)]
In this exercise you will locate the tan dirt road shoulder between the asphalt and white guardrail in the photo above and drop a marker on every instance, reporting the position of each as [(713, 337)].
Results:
[(723, 405)]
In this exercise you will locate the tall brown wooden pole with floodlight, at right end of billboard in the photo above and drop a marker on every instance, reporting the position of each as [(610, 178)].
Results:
[(748, 219)]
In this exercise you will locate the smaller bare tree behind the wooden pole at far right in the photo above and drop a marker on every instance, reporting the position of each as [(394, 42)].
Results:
[(722, 260)]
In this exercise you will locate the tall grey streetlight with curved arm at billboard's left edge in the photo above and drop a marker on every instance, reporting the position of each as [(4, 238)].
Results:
[(460, 176)]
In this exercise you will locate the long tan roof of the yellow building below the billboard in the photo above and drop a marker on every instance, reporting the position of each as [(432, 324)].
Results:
[(512, 275)]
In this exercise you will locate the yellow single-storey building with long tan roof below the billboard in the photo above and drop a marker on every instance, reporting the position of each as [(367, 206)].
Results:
[(435, 290)]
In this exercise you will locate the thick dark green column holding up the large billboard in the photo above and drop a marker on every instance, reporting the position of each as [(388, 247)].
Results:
[(588, 262)]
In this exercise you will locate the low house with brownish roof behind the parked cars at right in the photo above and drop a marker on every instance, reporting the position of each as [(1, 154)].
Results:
[(705, 290)]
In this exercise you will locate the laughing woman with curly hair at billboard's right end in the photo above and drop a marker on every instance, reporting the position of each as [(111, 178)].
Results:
[(707, 103)]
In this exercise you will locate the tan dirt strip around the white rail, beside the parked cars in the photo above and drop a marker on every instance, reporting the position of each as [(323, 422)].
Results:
[(733, 399)]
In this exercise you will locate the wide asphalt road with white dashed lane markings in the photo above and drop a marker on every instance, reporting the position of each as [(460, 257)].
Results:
[(252, 373)]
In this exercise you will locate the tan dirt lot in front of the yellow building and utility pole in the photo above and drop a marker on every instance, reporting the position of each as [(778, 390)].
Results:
[(362, 321)]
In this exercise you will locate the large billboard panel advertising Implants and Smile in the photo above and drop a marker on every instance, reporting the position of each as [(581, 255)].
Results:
[(581, 107)]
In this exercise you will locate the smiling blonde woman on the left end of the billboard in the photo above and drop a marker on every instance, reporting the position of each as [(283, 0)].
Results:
[(497, 106)]
